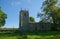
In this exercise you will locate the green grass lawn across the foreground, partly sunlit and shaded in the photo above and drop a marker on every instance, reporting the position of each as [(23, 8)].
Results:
[(31, 35)]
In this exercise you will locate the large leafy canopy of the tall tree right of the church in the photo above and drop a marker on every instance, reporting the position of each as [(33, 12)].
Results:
[(51, 11)]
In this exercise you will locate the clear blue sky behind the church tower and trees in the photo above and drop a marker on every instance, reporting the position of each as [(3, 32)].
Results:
[(13, 7)]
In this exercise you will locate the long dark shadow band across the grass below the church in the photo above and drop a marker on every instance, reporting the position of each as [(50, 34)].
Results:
[(41, 33)]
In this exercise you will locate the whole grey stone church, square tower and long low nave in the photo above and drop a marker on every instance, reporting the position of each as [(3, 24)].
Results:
[(25, 25)]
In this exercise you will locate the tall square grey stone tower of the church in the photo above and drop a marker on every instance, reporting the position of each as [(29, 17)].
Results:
[(24, 20)]
